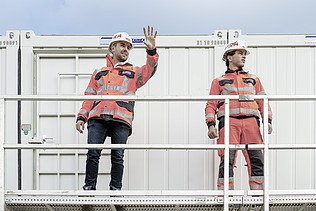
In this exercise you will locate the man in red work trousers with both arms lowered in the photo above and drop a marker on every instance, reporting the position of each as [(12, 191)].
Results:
[(244, 116)]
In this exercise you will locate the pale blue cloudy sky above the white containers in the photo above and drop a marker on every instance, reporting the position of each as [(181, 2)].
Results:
[(169, 17)]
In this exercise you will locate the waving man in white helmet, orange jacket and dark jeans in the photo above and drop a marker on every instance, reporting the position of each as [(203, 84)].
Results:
[(114, 118)]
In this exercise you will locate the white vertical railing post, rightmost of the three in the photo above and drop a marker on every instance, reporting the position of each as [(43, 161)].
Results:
[(266, 153)]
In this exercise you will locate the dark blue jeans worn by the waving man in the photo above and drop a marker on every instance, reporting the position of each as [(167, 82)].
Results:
[(98, 130)]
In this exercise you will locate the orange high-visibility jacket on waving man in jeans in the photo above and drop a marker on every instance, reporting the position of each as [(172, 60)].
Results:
[(122, 79)]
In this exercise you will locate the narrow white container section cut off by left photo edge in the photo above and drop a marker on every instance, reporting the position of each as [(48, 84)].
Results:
[(8, 78)]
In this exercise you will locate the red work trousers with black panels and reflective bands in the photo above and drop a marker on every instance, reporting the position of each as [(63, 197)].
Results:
[(242, 130)]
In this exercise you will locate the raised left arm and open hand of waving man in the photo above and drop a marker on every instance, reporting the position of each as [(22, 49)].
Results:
[(148, 70)]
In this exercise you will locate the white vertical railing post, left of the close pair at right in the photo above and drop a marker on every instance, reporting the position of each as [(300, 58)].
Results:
[(226, 156)]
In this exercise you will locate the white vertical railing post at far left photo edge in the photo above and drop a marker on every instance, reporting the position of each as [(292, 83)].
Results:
[(2, 116)]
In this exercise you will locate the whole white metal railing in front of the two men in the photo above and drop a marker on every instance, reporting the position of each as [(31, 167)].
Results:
[(226, 146)]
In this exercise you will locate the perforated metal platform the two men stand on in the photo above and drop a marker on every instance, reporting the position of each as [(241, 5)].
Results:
[(129, 201)]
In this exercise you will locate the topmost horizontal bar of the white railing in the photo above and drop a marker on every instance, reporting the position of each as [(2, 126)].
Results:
[(153, 98)]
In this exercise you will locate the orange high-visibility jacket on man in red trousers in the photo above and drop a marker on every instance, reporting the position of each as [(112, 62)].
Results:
[(235, 83)]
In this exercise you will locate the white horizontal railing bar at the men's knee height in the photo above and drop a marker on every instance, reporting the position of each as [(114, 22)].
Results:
[(159, 146)]
